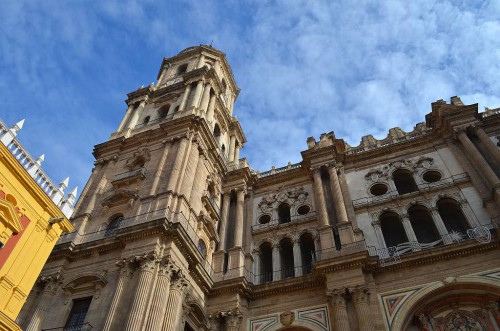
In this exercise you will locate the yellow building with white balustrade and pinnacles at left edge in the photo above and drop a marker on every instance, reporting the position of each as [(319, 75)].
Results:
[(33, 215)]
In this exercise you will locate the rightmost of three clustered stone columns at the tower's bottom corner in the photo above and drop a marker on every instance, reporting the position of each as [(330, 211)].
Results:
[(173, 312)]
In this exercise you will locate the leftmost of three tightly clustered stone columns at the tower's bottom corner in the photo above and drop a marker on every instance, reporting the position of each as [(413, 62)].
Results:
[(147, 266)]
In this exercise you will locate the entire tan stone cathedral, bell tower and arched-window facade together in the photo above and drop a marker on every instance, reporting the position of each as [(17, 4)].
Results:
[(175, 232)]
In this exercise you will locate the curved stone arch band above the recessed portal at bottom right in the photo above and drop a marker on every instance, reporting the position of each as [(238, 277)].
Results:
[(439, 291)]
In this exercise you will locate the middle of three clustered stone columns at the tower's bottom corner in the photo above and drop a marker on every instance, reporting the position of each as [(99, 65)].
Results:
[(159, 304)]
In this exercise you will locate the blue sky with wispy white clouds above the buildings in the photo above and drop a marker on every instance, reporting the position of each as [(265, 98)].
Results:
[(304, 67)]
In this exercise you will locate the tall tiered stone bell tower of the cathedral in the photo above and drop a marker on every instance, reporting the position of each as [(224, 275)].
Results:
[(151, 208)]
